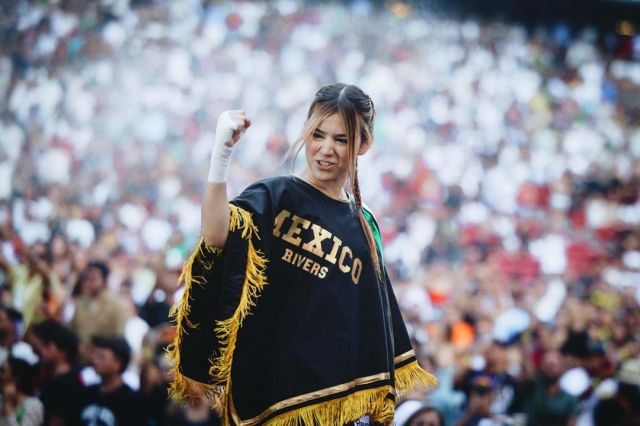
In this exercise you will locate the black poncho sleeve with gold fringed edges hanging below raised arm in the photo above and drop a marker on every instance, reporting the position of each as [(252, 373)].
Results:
[(221, 286)]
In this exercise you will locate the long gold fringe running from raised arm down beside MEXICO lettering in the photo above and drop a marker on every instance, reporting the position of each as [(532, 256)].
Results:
[(227, 330)]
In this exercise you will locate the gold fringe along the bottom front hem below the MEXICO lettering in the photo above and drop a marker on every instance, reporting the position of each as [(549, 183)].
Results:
[(342, 411)]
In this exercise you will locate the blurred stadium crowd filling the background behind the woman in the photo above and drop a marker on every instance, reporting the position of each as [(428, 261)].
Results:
[(505, 175)]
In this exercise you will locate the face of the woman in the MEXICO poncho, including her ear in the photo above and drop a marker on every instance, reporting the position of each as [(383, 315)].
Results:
[(327, 154)]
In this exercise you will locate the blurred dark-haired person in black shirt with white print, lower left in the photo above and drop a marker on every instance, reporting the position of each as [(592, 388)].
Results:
[(112, 402)]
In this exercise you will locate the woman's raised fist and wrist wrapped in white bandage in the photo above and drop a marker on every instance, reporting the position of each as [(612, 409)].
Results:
[(230, 127)]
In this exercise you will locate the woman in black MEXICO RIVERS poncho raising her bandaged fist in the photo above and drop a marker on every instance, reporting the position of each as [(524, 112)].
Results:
[(288, 316)]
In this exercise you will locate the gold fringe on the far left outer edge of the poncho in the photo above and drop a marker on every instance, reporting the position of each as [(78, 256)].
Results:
[(181, 387)]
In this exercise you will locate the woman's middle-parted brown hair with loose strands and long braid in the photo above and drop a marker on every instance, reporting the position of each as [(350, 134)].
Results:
[(357, 111)]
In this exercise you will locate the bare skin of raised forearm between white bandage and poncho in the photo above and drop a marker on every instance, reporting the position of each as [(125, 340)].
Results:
[(215, 215)]
